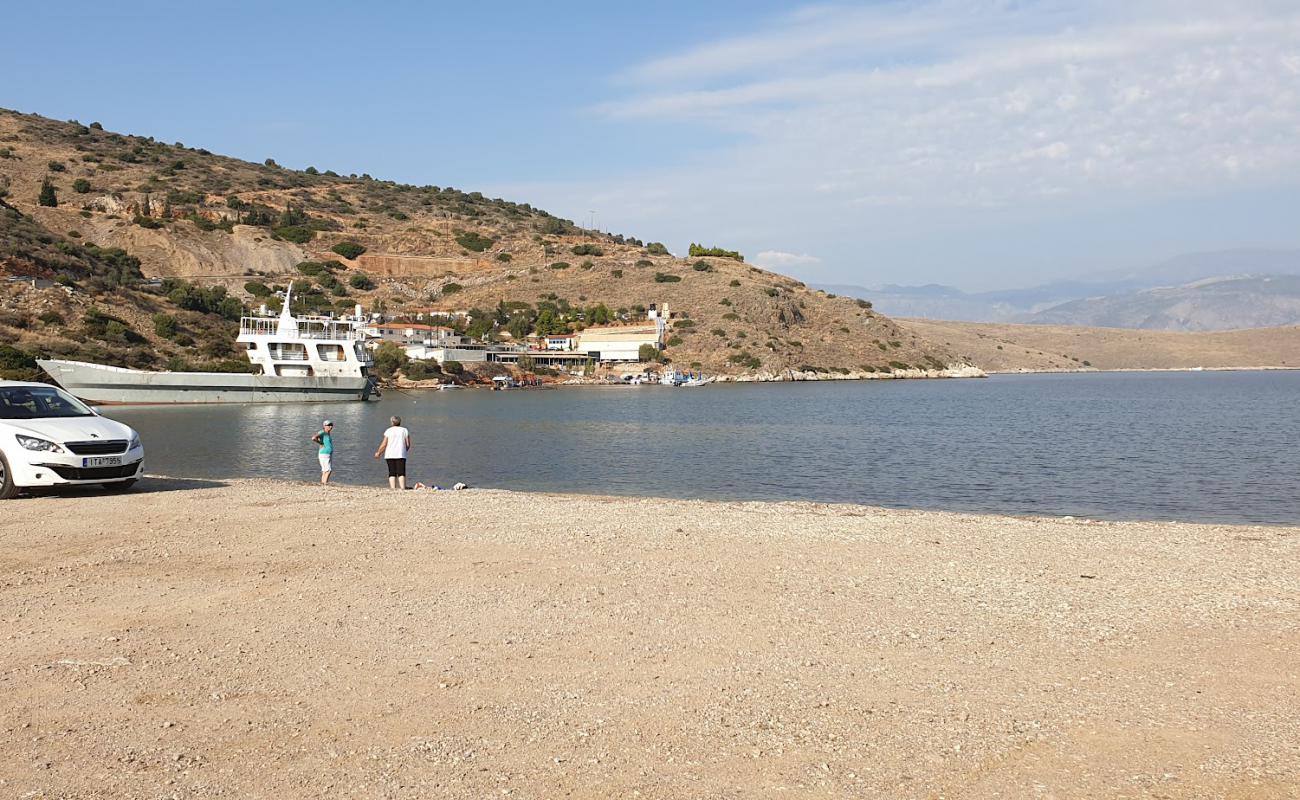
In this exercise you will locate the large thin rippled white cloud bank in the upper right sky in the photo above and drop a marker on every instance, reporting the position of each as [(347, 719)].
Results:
[(939, 101)]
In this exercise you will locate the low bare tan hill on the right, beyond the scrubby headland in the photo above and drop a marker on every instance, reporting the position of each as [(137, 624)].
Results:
[(1009, 348)]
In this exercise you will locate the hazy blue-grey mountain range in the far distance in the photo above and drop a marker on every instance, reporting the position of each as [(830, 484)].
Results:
[(1219, 291)]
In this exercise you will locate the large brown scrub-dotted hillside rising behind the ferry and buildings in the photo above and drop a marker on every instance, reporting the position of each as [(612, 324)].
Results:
[(213, 224)]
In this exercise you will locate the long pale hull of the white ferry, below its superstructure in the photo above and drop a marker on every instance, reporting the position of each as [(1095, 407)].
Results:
[(115, 386)]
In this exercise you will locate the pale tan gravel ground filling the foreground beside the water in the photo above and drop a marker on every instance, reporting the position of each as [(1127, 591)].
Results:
[(275, 641)]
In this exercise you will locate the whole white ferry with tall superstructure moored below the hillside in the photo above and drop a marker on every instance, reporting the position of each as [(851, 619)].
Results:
[(296, 360)]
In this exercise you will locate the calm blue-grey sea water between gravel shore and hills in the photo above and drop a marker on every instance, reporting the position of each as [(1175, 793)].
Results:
[(1216, 447)]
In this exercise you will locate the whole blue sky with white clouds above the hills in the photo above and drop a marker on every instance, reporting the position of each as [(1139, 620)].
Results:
[(981, 144)]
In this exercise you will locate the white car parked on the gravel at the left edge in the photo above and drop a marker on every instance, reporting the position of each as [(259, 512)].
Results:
[(51, 439)]
